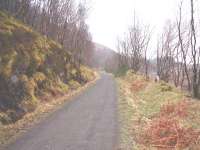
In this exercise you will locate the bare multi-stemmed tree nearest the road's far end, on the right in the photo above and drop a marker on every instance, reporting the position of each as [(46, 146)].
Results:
[(133, 48)]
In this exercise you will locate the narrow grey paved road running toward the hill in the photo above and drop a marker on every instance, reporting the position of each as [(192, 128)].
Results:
[(88, 122)]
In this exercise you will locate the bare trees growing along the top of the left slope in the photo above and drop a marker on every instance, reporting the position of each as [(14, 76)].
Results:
[(62, 21)]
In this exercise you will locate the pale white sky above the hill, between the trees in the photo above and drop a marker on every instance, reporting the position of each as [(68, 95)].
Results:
[(109, 19)]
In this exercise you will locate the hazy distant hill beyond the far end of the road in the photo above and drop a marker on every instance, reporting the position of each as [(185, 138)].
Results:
[(104, 58)]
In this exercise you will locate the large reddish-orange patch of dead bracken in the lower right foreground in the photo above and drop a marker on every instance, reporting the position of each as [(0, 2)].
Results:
[(166, 132)]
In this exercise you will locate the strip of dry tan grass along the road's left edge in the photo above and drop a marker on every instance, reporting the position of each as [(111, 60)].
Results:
[(16, 130)]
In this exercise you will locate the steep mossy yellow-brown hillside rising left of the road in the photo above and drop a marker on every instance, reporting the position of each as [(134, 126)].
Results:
[(32, 67)]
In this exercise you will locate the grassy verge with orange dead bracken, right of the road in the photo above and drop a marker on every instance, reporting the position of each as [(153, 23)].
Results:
[(156, 115)]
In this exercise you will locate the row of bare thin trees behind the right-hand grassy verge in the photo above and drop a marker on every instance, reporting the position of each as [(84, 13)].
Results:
[(178, 49)]
